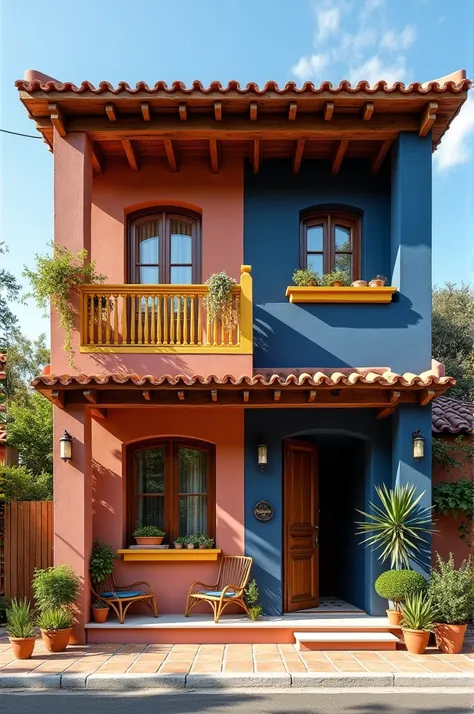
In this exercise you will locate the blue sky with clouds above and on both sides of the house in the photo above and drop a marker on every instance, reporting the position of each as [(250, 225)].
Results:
[(249, 40)]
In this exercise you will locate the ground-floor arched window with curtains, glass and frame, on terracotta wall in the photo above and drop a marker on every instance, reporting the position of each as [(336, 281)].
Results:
[(171, 484)]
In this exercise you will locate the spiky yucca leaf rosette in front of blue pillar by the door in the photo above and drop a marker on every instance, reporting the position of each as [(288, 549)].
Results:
[(397, 528)]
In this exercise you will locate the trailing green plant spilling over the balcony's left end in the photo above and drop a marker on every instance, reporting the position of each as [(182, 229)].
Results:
[(55, 280)]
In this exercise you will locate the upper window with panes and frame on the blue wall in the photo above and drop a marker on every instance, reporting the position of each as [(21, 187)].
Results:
[(331, 241)]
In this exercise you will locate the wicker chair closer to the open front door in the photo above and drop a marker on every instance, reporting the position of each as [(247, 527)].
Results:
[(232, 579)]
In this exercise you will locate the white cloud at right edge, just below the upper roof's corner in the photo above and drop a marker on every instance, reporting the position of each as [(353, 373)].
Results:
[(457, 146)]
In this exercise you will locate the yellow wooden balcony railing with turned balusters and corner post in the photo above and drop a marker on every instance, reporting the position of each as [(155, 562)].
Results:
[(163, 318)]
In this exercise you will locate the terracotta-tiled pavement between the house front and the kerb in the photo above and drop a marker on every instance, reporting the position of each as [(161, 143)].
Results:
[(212, 659)]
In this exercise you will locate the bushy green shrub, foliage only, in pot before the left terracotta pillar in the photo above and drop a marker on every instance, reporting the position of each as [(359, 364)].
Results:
[(55, 587)]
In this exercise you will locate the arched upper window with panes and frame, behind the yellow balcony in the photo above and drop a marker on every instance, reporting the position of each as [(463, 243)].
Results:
[(164, 247)]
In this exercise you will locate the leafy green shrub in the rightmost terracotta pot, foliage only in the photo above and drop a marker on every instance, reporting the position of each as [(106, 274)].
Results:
[(451, 590)]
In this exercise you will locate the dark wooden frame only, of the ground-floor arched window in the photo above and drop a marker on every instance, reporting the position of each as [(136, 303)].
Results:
[(171, 484)]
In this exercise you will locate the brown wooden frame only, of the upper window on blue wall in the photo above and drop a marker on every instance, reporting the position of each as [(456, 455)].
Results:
[(328, 220)]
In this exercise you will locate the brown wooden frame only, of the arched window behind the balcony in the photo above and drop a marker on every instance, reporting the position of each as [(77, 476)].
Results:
[(163, 216)]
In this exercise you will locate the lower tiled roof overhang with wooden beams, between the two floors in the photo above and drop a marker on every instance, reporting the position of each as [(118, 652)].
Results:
[(379, 390)]
